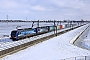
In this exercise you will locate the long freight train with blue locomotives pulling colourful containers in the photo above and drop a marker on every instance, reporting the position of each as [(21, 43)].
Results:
[(29, 32)]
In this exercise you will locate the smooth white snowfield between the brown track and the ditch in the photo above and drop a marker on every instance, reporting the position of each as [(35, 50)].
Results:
[(53, 49)]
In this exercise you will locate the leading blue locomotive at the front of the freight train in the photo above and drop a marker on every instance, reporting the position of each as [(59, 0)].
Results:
[(22, 33)]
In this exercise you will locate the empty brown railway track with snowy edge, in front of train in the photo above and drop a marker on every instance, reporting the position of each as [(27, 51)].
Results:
[(25, 44)]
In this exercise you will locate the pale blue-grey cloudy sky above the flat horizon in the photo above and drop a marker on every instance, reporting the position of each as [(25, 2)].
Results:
[(45, 9)]
